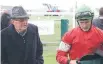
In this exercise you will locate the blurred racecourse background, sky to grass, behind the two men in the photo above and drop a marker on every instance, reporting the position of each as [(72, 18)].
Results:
[(53, 18)]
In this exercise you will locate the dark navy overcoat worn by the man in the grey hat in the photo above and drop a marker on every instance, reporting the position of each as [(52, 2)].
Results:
[(17, 49)]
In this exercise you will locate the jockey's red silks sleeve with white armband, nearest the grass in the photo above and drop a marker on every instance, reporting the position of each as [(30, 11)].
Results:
[(64, 47)]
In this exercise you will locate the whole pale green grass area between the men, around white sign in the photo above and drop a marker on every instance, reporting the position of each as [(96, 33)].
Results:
[(49, 52)]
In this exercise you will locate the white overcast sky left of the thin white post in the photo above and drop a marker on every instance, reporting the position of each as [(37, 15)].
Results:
[(37, 4)]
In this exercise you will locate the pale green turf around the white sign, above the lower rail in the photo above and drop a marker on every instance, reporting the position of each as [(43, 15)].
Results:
[(56, 37)]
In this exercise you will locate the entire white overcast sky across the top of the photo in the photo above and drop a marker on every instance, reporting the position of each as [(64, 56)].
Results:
[(63, 4)]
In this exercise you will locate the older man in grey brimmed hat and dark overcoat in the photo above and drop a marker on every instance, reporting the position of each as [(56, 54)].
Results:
[(20, 42)]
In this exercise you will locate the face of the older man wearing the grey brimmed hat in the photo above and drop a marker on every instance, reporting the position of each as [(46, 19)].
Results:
[(20, 24)]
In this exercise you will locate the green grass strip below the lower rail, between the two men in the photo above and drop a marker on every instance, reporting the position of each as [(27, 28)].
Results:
[(50, 54)]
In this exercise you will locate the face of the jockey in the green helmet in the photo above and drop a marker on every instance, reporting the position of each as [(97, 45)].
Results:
[(85, 24)]
